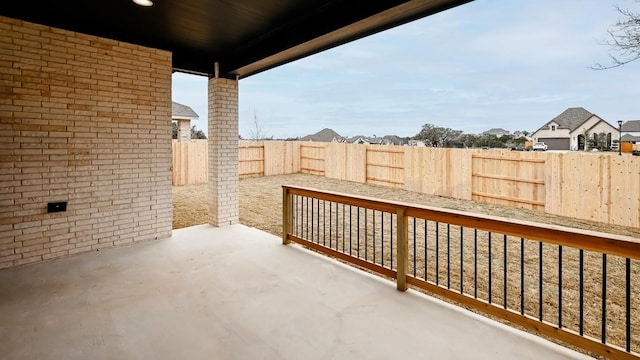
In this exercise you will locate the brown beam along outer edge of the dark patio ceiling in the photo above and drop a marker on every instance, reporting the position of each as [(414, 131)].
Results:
[(388, 19)]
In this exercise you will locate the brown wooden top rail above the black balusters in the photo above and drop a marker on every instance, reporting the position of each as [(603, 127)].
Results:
[(620, 245)]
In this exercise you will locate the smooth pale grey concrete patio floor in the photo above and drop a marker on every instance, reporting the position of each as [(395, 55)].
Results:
[(235, 293)]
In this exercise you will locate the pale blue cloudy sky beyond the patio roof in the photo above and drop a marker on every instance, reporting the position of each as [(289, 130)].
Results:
[(511, 64)]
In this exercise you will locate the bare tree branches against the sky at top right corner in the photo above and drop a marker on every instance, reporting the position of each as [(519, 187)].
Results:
[(624, 39)]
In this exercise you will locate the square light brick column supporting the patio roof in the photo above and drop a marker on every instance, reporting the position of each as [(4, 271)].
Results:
[(223, 152)]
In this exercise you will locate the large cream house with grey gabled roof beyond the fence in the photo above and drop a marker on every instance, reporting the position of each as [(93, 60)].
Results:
[(567, 131)]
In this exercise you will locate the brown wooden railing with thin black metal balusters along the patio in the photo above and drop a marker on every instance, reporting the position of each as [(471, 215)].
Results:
[(579, 287)]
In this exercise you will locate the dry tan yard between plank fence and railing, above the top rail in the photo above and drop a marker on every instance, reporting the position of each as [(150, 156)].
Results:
[(261, 203)]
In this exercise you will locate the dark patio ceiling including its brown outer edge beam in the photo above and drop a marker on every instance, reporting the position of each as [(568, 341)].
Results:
[(244, 36)]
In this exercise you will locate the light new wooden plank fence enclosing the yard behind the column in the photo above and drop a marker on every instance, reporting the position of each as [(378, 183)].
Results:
[(602, 187)]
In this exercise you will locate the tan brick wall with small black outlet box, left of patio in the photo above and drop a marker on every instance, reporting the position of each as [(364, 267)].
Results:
[(84, 120)]
